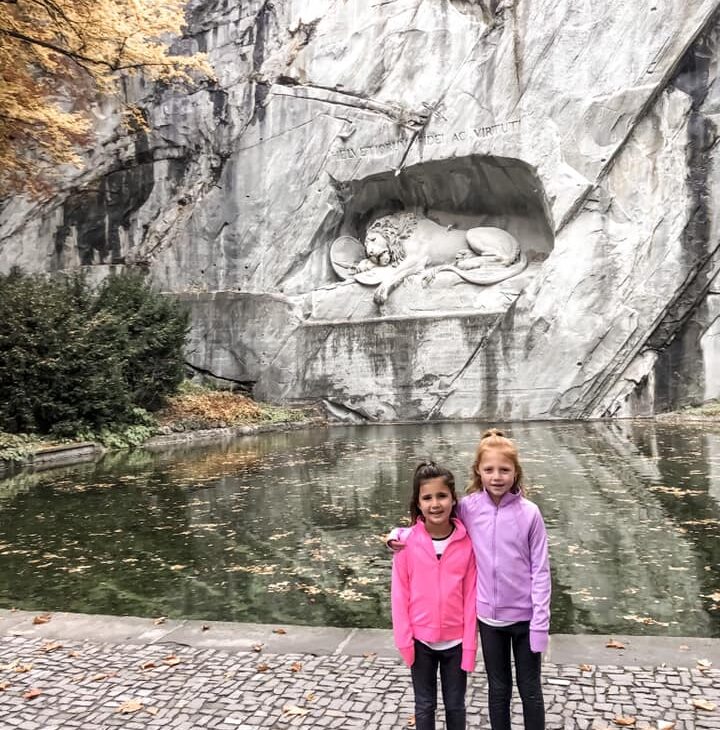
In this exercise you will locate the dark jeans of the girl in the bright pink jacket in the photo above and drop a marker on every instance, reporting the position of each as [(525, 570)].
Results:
[(453, 681)]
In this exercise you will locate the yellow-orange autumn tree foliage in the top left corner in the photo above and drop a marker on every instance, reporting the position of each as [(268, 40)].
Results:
[(55, 55)]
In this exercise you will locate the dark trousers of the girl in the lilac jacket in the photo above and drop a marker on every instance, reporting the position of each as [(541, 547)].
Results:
[(496, 643)]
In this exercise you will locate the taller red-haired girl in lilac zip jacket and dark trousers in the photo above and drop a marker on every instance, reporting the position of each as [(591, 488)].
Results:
[(513, 586)]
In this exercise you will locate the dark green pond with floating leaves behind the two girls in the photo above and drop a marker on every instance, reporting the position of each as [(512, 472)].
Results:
[(287, 527)]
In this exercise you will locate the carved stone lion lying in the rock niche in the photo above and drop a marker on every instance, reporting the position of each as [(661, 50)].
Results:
[(399, 245)]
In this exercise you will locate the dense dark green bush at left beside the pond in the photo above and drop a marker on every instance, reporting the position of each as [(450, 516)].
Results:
[(72, 359)]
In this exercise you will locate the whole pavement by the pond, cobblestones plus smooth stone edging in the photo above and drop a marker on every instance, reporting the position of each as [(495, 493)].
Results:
[(77, 671)]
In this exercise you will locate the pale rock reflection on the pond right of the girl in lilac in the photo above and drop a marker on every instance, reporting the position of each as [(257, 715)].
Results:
[(605, 521)]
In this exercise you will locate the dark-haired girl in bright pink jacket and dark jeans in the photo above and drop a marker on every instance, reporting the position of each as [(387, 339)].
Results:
[(433, 599)]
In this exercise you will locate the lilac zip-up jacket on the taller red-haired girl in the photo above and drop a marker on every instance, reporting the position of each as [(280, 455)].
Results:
[(510, 544)]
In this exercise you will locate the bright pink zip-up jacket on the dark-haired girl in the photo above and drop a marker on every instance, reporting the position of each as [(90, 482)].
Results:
[(434, 599)]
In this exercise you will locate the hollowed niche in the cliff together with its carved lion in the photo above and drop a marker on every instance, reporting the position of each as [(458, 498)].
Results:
[(441, 234)]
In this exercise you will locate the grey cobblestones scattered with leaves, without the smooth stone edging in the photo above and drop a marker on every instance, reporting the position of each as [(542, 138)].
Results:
[(166, 685)]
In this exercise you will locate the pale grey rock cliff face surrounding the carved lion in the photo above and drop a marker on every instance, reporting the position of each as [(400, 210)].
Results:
[(587, 131)]
